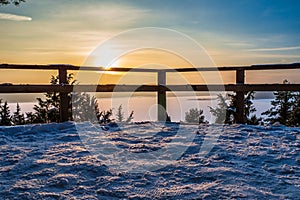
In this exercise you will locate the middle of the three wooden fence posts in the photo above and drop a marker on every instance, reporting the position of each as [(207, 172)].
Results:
[(161, 97)]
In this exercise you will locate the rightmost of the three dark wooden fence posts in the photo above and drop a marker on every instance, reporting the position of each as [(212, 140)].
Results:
[(240, 110)]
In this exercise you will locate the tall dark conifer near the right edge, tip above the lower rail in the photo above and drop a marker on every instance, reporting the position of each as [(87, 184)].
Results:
[(281, 109)]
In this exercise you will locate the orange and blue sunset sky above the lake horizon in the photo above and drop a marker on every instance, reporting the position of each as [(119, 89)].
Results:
[(232, 32)]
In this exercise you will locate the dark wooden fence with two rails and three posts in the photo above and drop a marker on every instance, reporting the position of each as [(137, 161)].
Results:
[(240, 87)]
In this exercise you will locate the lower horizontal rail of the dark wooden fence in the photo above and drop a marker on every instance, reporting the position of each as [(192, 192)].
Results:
[(146, 88)]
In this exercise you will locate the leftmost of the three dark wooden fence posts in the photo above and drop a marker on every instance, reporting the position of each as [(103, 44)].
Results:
[(64, 101)]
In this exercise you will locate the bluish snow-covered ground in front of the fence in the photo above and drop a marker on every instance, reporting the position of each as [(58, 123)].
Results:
[(53, 162)]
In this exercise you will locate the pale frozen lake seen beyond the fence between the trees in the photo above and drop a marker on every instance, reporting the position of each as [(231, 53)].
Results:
[(145, 107)]
